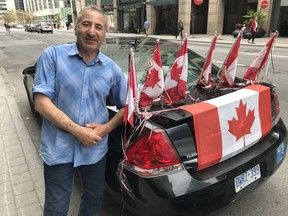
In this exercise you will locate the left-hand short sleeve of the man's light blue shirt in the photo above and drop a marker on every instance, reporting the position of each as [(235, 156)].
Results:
[(45, 74)]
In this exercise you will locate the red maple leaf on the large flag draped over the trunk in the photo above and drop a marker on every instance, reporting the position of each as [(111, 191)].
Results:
[(239, 128)]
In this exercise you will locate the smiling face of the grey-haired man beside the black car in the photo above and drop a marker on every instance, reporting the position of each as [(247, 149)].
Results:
[(90, 31)]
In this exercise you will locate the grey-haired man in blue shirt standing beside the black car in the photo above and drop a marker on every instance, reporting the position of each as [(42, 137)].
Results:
[(71, 86)]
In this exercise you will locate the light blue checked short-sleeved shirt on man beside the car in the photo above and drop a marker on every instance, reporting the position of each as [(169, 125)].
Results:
[(80, 90)]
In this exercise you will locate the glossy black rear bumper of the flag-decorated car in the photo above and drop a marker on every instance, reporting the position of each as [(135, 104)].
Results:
[(184, 193)]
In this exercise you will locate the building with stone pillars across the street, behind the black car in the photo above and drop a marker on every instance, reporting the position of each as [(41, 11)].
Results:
[(198, 16)]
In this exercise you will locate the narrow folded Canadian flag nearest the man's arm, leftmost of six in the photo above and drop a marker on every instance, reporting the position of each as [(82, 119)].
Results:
[(131, 91)]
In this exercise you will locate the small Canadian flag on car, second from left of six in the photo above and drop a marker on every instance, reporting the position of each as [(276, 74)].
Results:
[(154, 82)]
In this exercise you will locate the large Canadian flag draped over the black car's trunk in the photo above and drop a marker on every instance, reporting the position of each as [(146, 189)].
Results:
[(229, 124)]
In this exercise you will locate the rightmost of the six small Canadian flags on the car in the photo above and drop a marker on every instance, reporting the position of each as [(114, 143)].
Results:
[(260, 61)]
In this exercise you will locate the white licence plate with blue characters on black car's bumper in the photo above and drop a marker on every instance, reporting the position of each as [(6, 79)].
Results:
[(246, 178)]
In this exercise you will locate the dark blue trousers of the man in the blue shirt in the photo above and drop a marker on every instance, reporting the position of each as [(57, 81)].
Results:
[(59, 184)]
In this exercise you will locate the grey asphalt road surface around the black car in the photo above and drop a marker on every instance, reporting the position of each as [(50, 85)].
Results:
[(22, 49)]
